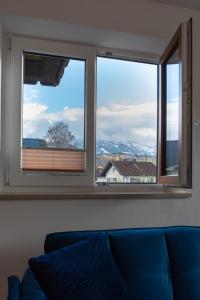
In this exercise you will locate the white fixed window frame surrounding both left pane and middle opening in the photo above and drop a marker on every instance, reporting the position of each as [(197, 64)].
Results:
[(12, 104)]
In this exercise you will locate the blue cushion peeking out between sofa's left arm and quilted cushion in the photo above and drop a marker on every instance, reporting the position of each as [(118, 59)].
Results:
[(30, 288)]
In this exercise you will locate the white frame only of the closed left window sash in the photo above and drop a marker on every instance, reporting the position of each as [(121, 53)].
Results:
[(13, 105)]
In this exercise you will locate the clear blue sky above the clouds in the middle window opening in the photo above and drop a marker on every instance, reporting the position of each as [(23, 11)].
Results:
[(130, 82)]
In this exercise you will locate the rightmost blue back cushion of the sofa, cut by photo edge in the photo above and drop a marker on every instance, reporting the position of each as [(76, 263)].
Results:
[(184, 252)]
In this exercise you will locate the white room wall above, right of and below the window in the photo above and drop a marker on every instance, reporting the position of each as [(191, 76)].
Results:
[(24, 224)]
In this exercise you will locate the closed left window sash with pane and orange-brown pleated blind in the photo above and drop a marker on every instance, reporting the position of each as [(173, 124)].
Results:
[(52, 107)]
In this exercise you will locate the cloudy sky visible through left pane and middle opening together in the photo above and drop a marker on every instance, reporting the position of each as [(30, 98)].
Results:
[(126, 102)]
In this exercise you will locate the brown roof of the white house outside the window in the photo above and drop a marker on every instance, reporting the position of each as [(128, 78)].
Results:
[(131, 168)]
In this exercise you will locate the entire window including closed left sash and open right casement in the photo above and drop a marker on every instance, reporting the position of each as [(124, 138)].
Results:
[(80, 116)]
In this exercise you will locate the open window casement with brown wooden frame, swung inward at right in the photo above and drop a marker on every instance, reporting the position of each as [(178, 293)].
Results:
[(175, 110)]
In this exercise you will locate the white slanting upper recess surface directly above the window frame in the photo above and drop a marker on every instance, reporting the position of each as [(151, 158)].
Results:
[(82, 34)]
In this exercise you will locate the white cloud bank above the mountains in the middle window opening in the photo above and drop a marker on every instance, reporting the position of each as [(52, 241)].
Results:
[(122, 122)]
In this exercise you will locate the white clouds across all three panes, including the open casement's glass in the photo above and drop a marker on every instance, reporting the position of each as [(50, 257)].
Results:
[(118, 122)]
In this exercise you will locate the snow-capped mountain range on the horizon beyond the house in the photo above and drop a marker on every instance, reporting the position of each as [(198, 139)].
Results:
[(131, 148)]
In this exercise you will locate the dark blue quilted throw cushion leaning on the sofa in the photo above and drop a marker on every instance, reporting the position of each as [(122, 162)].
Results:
[(83, 271)]
